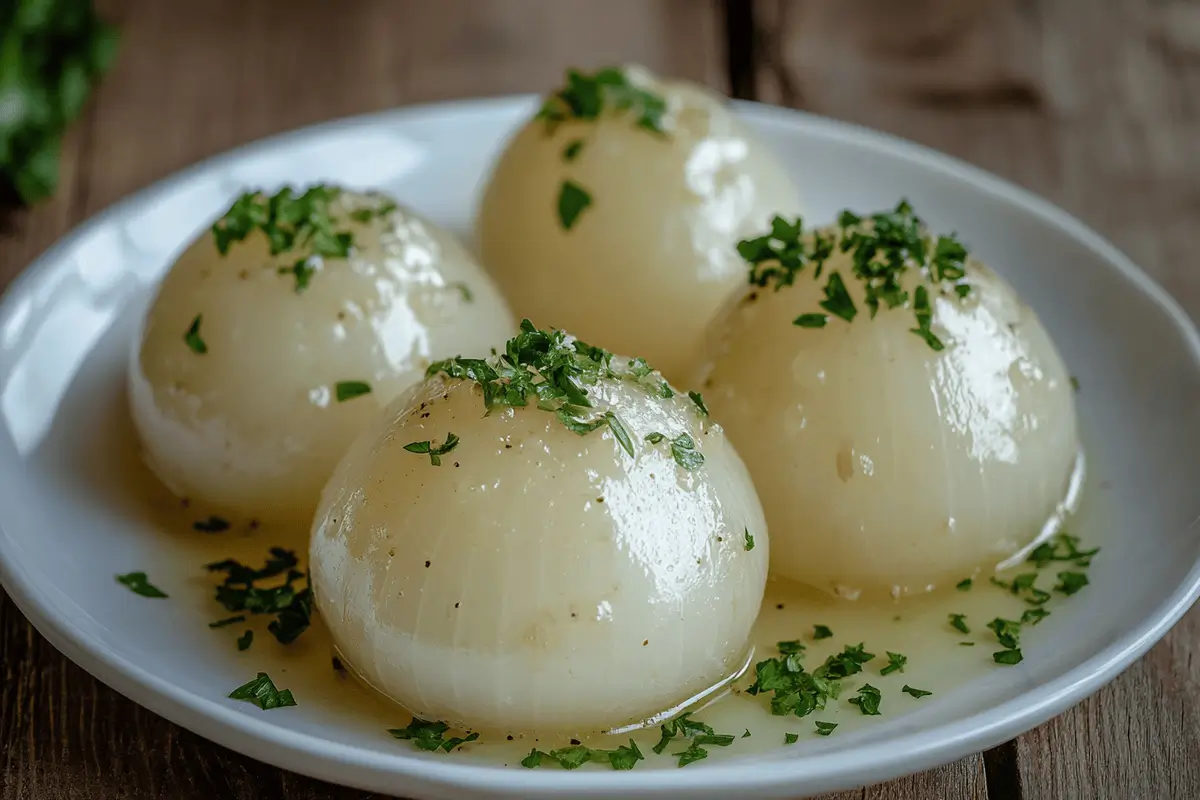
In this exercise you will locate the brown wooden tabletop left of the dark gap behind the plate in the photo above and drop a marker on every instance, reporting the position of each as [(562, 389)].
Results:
[(197, 79)]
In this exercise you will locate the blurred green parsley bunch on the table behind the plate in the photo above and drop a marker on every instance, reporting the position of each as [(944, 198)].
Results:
[(51, 55)]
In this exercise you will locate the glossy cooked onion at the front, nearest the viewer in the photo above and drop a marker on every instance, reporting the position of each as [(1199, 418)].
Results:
[(539, 581)]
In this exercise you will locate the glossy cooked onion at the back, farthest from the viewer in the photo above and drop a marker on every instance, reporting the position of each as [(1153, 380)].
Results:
[(647, 262)]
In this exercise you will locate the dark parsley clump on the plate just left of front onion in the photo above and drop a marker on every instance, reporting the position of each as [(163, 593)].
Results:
[(241, 592)]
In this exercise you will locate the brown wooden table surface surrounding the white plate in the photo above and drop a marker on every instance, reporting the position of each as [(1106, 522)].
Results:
[(1094, 104)]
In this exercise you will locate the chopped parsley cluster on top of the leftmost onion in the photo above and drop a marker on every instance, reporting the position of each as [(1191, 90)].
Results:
[(296, 225)]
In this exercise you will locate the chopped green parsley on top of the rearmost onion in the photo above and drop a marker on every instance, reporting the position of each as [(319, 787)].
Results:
[(584, 99)]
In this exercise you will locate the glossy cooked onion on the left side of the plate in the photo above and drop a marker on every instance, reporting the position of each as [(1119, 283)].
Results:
[(254, 426)]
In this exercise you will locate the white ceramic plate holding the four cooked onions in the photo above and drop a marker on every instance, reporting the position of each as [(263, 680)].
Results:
[(69, 525)]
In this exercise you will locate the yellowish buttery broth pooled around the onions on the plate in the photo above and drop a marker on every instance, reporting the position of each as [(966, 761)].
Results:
[(940, 658)]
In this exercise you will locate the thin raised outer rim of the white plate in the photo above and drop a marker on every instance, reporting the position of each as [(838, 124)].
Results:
[(351, 766)]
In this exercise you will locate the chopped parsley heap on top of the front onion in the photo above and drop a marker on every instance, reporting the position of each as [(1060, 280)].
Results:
[(551, 370)]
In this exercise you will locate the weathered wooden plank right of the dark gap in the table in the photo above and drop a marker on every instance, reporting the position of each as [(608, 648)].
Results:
[(1097, 107)]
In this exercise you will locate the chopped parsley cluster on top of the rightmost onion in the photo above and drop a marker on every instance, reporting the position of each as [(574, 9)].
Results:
[(883, 248)]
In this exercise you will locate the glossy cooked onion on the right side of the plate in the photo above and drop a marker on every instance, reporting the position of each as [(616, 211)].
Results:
[(884, 466)]
